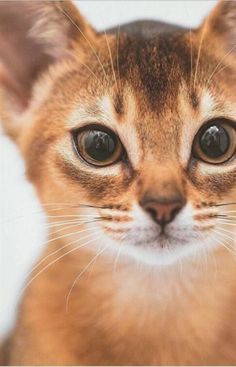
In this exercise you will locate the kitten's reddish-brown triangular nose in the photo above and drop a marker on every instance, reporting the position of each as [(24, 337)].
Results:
[(163, 211)]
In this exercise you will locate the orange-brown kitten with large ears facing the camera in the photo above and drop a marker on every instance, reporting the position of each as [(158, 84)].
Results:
[(129, 137)]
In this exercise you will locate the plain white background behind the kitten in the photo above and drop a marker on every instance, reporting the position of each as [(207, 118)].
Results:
[(22, 233)]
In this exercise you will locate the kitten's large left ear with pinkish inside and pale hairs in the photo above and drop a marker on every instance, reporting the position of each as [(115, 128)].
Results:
[(34, 35)]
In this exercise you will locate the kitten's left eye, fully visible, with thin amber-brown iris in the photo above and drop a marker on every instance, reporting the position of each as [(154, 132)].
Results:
[(98, 146)]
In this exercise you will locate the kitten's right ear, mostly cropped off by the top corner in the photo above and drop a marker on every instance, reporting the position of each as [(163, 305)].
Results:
[(221, 25)]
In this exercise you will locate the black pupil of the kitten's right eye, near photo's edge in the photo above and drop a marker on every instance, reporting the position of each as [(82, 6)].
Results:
[(214, 141)]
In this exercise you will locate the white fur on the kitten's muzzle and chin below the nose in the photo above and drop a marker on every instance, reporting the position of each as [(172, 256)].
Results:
[(141, 242)]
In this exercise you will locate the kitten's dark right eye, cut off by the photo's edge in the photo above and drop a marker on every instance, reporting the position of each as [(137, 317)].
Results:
[(215, 142)]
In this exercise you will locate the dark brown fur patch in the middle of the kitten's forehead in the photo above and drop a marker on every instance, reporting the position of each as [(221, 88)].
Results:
[(155, 67)]
